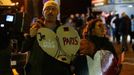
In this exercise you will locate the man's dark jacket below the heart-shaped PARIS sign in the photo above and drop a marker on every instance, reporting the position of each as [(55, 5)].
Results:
[(40, 63)]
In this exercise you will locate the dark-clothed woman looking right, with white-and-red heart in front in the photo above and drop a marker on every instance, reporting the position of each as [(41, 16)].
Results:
[(101, 58)]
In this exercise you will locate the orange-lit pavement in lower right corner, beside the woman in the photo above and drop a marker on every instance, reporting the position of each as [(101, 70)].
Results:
[(128, 63)]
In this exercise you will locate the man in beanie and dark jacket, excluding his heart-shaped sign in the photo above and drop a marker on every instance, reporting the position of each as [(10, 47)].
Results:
[(39, 62)]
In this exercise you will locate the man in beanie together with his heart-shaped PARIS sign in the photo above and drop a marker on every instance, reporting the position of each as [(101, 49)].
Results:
[(49, 52)]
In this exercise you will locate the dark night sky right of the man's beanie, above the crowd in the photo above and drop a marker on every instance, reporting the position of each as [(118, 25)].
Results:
[(73, 6)]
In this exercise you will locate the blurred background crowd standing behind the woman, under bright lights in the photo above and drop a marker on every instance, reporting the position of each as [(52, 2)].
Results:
[(118, 26)]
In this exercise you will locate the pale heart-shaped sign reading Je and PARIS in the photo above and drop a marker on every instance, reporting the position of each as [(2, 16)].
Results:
[(62, 46)]
